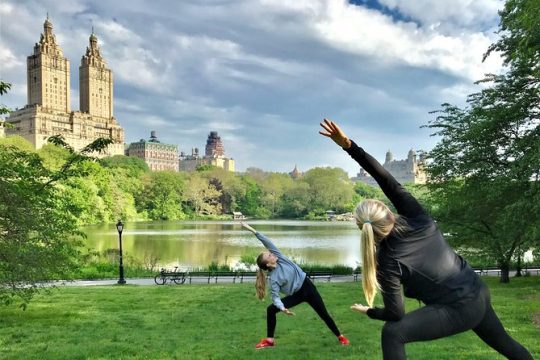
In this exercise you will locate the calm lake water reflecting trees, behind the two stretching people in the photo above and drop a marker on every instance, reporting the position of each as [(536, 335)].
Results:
[(198, 243)]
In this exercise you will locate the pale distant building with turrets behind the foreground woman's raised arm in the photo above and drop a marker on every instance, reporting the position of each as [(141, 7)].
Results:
[(410, 170)]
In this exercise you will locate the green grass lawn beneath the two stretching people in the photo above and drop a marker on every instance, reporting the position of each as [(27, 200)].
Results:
[(224, 321)]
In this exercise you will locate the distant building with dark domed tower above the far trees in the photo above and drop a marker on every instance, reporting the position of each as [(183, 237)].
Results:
[(214, 155)]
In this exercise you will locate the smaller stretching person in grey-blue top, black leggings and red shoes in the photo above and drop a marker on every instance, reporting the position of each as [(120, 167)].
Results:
[(286, 277)]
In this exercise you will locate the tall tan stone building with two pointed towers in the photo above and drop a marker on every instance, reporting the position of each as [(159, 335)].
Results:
[(48, 109)]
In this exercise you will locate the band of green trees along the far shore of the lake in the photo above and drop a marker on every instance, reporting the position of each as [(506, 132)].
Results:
[(122, 187)]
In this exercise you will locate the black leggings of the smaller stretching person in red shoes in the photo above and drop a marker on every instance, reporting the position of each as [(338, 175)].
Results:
[(307, 293)]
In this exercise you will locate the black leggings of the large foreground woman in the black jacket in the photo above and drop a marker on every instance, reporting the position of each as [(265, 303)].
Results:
[(437, 321)]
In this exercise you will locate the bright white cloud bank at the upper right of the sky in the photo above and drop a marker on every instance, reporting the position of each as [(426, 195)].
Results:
[(366, 32)]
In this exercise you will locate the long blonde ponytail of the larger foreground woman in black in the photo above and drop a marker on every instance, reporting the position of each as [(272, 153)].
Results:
[(369, 264)]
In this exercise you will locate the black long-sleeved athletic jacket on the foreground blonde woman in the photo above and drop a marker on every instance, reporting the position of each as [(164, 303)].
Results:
[(420, 259)]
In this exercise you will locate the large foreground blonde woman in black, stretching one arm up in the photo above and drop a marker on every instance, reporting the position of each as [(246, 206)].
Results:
[(408, 249)]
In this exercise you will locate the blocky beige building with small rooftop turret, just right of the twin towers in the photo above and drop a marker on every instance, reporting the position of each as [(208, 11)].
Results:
[(156, 155)]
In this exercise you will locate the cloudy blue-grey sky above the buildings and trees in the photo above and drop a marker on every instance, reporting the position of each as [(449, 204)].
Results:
[(264, 73)]
